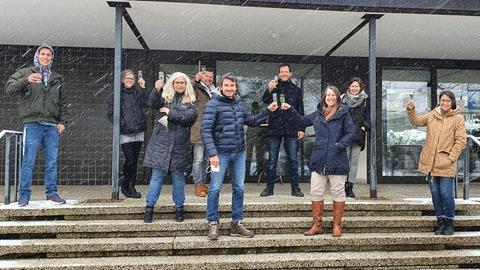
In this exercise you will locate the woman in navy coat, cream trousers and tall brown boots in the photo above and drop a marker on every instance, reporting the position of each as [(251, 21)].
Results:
[(334, 132)]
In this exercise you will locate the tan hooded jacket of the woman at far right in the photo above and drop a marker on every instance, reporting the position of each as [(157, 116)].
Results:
[(446, 137)]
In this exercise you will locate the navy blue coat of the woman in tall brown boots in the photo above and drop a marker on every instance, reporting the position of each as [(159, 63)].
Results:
[(332, 137)]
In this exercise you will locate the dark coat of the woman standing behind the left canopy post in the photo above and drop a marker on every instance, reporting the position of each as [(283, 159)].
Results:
[(132, 116)]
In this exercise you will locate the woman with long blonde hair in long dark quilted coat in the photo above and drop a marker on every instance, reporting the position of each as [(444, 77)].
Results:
[(169, 149)]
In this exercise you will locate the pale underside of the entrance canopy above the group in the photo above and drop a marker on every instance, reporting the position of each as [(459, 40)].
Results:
[(244, 29)]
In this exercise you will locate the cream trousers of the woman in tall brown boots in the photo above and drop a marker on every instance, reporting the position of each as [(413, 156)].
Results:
[(319, 184)]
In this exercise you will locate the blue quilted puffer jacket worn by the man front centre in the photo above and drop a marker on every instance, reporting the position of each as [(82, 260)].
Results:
[(223, 125)]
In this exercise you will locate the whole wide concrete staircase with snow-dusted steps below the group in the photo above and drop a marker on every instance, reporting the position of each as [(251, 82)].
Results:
[(377, 235)]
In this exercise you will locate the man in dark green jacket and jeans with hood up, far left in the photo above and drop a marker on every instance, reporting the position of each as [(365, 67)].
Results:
[(43, 110)]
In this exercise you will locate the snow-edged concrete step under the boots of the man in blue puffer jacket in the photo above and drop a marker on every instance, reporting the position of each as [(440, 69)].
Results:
[(266, 243)]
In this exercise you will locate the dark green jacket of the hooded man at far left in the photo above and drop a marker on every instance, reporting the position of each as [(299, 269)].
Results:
[(37, 101)]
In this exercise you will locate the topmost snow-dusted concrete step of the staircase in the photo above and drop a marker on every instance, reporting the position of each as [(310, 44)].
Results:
[(88, 211)]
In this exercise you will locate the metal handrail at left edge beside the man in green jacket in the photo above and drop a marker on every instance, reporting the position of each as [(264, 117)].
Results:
[(17, 135)]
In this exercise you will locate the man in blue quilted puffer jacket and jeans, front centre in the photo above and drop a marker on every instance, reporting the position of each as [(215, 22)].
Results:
[(223, 135)]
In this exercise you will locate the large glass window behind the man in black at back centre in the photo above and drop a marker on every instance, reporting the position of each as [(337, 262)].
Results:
[(253, 80)]
